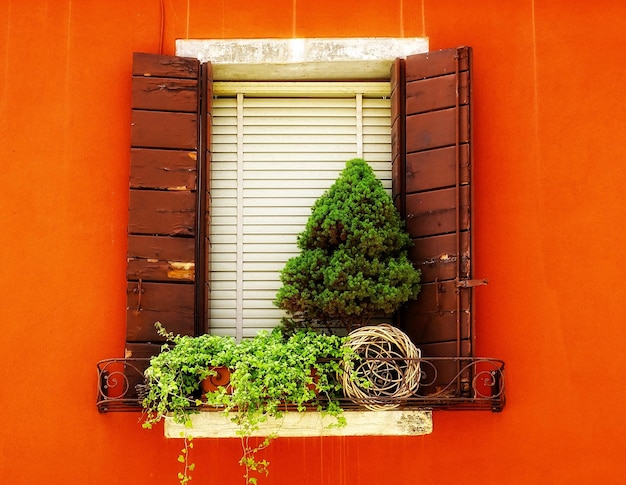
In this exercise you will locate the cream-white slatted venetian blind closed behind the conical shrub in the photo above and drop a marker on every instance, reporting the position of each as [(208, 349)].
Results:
[(272, 157)]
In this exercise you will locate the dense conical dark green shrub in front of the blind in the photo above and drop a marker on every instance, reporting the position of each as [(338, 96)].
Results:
[(353, 262)]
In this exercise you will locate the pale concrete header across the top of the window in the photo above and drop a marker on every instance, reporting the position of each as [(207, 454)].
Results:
[(301, 59)]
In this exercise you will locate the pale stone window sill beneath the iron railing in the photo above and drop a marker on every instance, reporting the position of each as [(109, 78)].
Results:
[(310, 424)]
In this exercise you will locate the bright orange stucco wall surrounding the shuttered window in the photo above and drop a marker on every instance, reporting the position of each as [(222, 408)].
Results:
[(550, 118)]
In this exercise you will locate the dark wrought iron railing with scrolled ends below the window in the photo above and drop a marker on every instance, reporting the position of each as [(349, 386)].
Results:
[(449, 383)]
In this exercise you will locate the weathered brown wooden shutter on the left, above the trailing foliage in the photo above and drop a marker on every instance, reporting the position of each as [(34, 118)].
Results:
[(167, 257)]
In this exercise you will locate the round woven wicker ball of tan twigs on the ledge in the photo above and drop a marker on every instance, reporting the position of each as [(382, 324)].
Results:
[(388, 363)]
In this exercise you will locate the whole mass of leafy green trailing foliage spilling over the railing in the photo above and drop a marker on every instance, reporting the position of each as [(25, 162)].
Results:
[(270, 374)]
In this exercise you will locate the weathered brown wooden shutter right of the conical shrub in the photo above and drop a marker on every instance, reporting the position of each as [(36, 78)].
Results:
[(431, 136)]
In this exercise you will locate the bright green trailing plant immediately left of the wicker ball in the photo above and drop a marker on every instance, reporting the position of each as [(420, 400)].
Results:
[(274, 373)]
